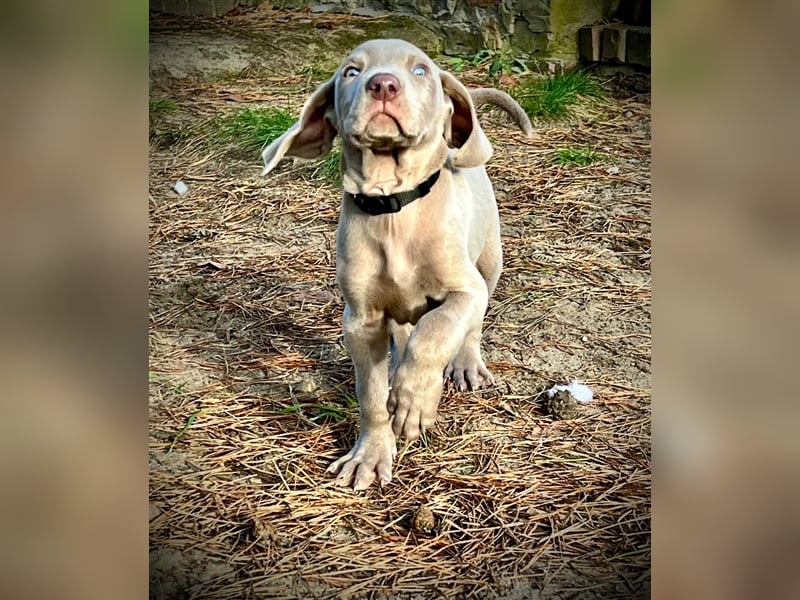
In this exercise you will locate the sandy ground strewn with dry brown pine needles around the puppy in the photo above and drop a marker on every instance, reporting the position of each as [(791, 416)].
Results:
[(252, 390)]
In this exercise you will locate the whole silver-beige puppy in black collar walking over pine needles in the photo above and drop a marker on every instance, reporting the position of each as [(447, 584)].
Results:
[(418, 244)]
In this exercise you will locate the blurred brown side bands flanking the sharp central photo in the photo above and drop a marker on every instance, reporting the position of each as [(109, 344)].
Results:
[(74, 346)]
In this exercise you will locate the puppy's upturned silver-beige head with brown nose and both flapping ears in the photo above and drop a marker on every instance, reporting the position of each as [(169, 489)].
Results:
[(390, 103)]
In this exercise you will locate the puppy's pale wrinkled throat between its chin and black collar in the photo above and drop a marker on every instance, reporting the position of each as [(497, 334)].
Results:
[(390, 172)]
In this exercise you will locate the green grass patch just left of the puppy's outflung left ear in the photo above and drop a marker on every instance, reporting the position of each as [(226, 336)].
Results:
[(250, 129)]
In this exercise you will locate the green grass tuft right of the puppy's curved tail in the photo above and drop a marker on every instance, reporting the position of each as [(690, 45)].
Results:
[(556, 97)]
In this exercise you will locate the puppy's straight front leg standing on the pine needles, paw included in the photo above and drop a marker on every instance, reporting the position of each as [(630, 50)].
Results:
[(367, 341)]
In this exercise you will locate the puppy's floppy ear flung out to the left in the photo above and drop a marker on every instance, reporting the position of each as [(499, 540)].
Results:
[(312, 135)]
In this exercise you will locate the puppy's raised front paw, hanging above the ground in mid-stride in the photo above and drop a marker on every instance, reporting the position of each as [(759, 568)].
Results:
[(413, 401)]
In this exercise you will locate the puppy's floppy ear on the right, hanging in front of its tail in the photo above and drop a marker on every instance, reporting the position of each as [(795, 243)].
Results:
[(465, 132)]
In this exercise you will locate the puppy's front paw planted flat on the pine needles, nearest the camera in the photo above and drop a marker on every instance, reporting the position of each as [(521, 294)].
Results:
[(371, 457)]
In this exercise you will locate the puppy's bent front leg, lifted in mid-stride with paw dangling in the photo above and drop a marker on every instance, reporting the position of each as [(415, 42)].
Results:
[(417, 383)]
